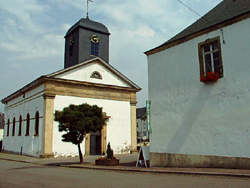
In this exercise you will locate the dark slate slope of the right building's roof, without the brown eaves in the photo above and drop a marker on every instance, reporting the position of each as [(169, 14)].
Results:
[(224, 11)]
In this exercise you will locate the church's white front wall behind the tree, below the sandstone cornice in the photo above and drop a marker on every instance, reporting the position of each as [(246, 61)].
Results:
[(118, 126)]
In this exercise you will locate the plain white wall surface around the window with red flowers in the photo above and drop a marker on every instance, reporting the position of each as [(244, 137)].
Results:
[(190, 117)]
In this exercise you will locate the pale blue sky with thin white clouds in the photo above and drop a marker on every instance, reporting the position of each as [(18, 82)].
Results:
[(32, 35)]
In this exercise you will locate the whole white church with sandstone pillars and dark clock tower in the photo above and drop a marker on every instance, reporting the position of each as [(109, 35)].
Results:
[(87, 77)]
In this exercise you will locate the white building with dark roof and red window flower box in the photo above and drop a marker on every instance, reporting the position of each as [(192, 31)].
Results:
[(196, 120)]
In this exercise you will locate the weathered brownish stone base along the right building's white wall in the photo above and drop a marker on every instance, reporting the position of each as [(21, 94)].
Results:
[(197, 161)]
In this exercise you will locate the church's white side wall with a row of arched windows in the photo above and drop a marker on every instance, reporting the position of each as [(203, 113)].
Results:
[(33, 102)]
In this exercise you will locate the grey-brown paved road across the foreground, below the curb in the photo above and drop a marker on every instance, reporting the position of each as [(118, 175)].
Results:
[(25, 175)]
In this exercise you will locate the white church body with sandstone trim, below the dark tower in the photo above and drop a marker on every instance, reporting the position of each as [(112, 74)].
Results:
[(48, 97)]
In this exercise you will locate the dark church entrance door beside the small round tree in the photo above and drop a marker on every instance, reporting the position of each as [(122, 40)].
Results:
[(95, 143)]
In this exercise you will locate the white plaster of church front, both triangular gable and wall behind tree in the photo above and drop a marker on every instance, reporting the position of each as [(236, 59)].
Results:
[(118, 126)]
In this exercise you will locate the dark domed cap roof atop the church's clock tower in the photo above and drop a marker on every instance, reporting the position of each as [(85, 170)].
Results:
[(86, 23)]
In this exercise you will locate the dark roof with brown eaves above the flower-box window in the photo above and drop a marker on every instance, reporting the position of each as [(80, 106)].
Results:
[(226, 11)]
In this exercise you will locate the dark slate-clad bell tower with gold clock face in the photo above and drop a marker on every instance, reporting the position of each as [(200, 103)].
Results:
[(85, 40)]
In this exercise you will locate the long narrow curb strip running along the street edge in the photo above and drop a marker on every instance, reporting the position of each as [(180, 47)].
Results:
[(140, 170)]
